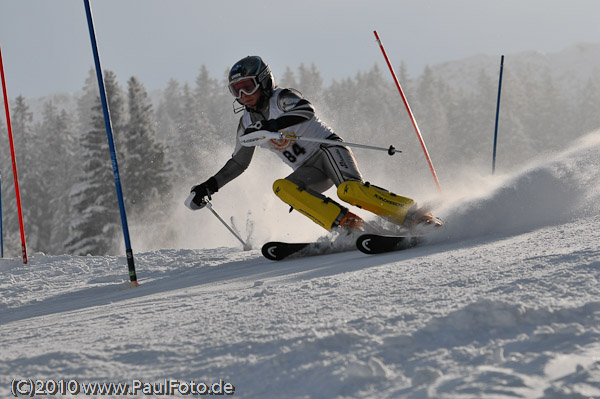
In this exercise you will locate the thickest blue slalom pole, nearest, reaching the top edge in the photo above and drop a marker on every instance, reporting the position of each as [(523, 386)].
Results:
[(111, 145)]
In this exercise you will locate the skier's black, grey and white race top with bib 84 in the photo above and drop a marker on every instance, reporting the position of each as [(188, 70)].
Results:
[(290, 113)]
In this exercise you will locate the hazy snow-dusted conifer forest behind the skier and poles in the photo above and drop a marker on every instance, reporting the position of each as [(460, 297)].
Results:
[(66, 178)]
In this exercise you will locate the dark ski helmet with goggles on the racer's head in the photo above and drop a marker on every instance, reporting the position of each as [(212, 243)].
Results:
[(249, 75)]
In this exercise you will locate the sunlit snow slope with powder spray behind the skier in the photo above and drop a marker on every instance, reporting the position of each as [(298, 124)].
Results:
[(504, 302)]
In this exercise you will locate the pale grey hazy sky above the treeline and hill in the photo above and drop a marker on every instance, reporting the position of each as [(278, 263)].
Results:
[(46, 44)]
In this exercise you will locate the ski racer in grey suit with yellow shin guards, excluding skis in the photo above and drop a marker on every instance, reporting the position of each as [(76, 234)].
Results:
[(316, 167)]
